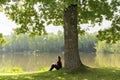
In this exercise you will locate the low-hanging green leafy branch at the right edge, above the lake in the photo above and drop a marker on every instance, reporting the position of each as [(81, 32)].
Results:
[(112, 34)]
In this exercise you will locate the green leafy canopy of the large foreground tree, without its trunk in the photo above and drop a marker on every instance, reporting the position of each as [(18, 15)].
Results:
[(33, 15)]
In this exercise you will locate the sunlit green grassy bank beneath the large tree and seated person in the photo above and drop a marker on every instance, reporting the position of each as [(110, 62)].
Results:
[(89, 74)]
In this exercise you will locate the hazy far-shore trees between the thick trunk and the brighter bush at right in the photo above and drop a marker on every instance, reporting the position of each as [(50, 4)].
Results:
[(87, 43)]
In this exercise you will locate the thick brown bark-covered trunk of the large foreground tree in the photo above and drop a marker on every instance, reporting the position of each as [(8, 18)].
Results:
[(71, 56)]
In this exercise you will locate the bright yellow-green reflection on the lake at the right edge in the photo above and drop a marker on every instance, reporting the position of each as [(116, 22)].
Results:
[(108, 60)]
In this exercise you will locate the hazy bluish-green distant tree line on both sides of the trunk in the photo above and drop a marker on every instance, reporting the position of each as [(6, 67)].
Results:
[(50, 43)]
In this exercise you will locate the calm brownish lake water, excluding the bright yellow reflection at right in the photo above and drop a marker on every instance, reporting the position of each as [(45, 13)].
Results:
[(32, 62)]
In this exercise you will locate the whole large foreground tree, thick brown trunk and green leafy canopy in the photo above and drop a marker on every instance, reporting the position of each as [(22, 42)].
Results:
[(69, 13)]
